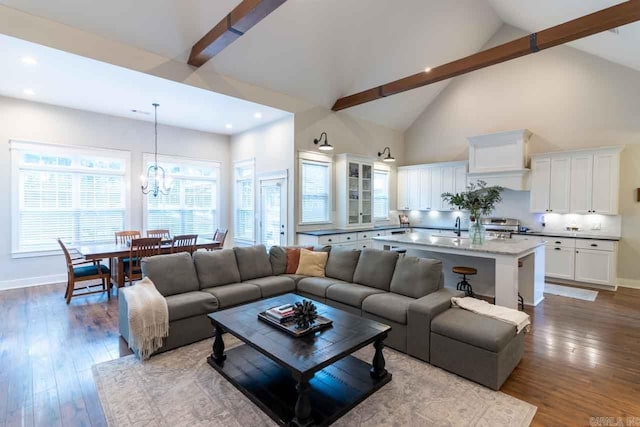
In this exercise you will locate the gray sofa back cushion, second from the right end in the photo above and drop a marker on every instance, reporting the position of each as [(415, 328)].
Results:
[(375, 268)]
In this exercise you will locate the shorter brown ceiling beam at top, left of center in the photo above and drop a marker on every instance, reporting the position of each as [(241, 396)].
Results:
[(240, 20)]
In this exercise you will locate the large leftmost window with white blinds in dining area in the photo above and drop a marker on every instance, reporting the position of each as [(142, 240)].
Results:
[(76, 194)]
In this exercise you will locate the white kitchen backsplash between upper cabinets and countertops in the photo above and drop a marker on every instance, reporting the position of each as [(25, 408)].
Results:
[(515, 204)]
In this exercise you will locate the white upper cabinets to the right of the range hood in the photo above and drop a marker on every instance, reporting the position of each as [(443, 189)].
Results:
[(585, 181)]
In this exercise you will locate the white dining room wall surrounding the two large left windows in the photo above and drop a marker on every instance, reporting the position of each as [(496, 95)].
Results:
[(30, 121)]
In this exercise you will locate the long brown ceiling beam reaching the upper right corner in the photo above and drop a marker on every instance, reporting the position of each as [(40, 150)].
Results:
[(603, 20)]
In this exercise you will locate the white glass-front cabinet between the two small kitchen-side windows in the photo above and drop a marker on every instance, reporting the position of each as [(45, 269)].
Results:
[(354, 197)]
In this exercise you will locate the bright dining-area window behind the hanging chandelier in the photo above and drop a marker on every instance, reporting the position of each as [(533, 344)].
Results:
[(191, 207)]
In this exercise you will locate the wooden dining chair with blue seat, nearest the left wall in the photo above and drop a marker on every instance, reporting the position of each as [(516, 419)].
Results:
[(82, 270)]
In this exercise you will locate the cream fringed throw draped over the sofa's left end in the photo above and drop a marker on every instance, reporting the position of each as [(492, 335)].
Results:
[(148, 318)]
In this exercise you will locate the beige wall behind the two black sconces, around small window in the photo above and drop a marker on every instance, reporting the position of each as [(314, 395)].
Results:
[(347, 135)]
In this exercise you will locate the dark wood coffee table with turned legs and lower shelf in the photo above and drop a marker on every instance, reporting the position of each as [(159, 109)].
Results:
[(312, 380)]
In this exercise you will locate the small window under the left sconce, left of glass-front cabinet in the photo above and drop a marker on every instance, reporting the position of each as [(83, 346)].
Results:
[(315, 200)]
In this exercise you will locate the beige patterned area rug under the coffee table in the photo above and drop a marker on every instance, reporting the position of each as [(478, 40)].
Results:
[(179, 388)]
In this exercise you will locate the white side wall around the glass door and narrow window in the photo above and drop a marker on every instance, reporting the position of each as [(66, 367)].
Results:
[(271, 146)]
